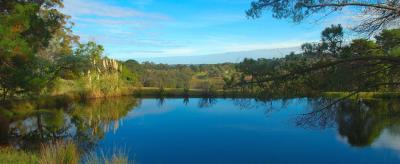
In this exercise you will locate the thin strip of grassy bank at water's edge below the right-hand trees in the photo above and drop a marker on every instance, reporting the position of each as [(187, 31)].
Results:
[(364, 95)]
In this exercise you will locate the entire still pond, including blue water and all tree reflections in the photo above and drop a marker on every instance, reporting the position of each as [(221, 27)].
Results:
[(181, 131)]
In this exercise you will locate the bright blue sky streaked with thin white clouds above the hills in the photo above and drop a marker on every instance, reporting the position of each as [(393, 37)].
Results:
[(132, 29)]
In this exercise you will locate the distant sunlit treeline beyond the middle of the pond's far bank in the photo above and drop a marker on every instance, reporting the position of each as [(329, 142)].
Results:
[(180, 76)]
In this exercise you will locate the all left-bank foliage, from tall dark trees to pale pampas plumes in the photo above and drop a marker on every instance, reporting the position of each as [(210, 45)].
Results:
[(38, 50)]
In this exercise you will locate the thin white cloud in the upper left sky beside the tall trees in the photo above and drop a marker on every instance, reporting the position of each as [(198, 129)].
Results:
[(113, 25)]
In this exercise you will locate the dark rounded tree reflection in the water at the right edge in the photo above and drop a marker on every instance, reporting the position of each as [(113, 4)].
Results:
[(360, 122)]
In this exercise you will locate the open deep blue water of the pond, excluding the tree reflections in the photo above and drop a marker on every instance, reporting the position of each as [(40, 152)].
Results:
[(212, 131)]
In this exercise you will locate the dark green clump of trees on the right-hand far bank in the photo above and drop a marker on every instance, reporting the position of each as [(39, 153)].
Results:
[(362, 65)]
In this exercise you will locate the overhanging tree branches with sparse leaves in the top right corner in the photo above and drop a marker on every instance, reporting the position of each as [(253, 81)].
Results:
[(379, 14)]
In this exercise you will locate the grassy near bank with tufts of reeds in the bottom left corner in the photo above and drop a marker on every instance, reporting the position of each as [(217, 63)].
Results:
[(59, 152)]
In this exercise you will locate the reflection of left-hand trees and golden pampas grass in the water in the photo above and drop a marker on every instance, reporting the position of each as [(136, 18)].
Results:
[(84, 122)]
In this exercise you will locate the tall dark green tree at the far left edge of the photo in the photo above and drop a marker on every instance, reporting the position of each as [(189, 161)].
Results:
[(26, 28)]
